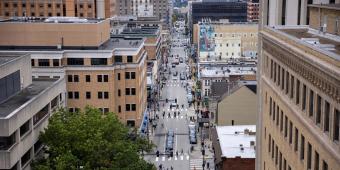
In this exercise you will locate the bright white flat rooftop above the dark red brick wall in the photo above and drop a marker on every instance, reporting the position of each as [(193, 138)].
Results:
[(235, 141)]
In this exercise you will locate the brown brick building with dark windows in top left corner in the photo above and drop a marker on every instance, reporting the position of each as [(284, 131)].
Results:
[(69, 8)]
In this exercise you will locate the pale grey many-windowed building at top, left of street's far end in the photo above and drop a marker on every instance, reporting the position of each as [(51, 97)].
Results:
[(147, 8)]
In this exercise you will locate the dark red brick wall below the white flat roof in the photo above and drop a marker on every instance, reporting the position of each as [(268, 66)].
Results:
[(239, 164)]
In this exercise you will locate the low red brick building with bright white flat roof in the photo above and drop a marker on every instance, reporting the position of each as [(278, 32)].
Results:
[(234, 147)]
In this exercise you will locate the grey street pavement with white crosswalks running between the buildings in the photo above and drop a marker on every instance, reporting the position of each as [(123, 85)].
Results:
[(175, 89)]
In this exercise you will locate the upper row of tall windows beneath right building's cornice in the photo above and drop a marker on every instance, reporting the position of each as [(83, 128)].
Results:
[(319, 110)]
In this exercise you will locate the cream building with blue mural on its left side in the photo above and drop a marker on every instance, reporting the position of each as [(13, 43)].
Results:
[(224, 41)]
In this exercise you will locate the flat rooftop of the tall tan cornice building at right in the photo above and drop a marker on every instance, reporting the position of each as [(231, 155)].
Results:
[(323, 42)]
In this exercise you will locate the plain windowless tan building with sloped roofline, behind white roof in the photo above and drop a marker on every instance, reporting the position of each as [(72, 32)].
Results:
[(237, 107)]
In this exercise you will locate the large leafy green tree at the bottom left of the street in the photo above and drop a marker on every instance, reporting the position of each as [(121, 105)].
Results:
[(91, 140)]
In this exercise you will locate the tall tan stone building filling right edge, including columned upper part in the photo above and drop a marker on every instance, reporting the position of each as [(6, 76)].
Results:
[(299, 86)]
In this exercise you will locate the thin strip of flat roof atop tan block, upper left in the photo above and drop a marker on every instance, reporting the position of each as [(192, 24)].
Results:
[(56, 20)]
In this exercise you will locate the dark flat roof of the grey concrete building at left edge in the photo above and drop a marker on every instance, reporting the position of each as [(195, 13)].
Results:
[(24, 96)]
